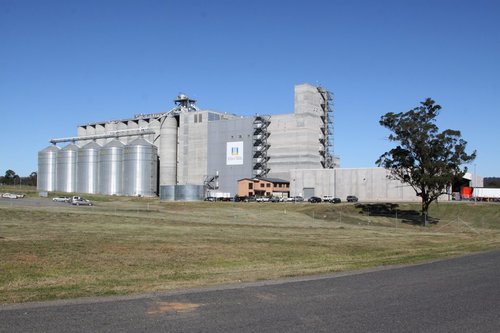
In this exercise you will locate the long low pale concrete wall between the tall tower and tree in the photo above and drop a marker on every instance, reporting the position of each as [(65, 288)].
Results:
[(368, 184)]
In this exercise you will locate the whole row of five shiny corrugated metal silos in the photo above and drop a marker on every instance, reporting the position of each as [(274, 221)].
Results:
[(112, 169)]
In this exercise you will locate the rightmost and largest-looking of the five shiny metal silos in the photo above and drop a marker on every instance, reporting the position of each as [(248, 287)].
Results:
[(140, 163)]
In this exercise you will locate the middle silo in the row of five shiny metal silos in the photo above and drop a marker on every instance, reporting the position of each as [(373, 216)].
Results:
[(87, 168)]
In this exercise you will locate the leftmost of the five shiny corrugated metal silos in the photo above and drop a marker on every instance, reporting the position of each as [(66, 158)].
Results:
[(47, 171)]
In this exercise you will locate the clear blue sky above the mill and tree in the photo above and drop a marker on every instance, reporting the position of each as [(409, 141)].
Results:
[(66, 63)]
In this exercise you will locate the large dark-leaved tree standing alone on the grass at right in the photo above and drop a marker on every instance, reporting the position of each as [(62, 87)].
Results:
[(425, 158)]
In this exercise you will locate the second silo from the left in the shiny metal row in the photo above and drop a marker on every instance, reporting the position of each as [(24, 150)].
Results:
[(66, 168)]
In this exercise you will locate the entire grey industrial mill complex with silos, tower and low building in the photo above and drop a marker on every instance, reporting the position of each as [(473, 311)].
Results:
[(189, 153)]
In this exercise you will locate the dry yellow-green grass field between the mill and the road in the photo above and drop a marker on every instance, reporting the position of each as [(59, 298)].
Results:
[(125, 245)]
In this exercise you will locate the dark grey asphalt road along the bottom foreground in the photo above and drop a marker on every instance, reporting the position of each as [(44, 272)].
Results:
[(456, 295)]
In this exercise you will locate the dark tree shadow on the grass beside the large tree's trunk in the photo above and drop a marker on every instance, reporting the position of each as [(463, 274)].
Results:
[(392, 210)]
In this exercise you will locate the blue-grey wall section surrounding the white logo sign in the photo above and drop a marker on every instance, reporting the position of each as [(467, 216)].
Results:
[(219, 134)]
